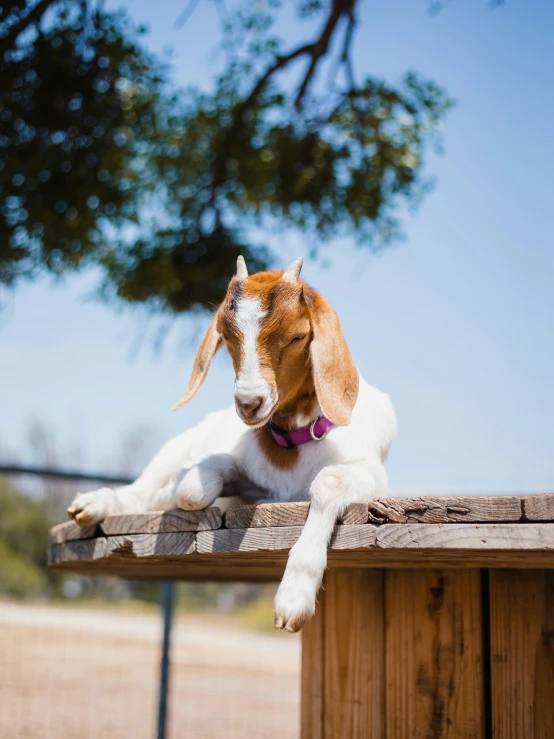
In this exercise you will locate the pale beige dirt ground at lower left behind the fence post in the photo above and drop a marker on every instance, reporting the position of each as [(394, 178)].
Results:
[(74, 674)]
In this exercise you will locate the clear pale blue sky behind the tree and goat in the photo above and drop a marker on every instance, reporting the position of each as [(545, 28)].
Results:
[(456, 322)]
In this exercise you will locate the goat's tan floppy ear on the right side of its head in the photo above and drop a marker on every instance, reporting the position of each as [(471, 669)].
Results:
[(336, 376)]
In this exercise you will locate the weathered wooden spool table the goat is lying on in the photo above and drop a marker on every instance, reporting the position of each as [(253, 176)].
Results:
[(436, 618)]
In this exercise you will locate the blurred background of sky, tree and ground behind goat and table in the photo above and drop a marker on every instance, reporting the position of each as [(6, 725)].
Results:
[(405, 148)]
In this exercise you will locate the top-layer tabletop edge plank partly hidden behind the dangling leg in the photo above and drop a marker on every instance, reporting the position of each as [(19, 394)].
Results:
[(267, 515)]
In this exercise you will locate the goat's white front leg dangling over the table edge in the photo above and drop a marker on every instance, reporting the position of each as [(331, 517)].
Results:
[(333, 489)]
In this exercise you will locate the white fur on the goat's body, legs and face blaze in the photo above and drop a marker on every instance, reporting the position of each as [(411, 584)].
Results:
[(221, 452)]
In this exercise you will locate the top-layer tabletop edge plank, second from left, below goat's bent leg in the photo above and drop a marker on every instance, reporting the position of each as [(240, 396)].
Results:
[(163, 522)]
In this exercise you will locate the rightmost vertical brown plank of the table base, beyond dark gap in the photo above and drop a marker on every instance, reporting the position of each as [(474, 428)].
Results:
[(522, 654)]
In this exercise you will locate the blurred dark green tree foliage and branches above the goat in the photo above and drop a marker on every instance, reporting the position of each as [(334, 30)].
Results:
[(103, 162)]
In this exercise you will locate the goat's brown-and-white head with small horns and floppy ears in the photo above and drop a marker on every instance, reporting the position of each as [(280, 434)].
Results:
[(283, 339)]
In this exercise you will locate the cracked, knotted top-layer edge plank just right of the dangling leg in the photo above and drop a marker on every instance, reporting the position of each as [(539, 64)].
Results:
[(443, 509)]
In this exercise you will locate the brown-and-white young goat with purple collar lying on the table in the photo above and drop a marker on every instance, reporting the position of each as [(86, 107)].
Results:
[(295, 382)]
